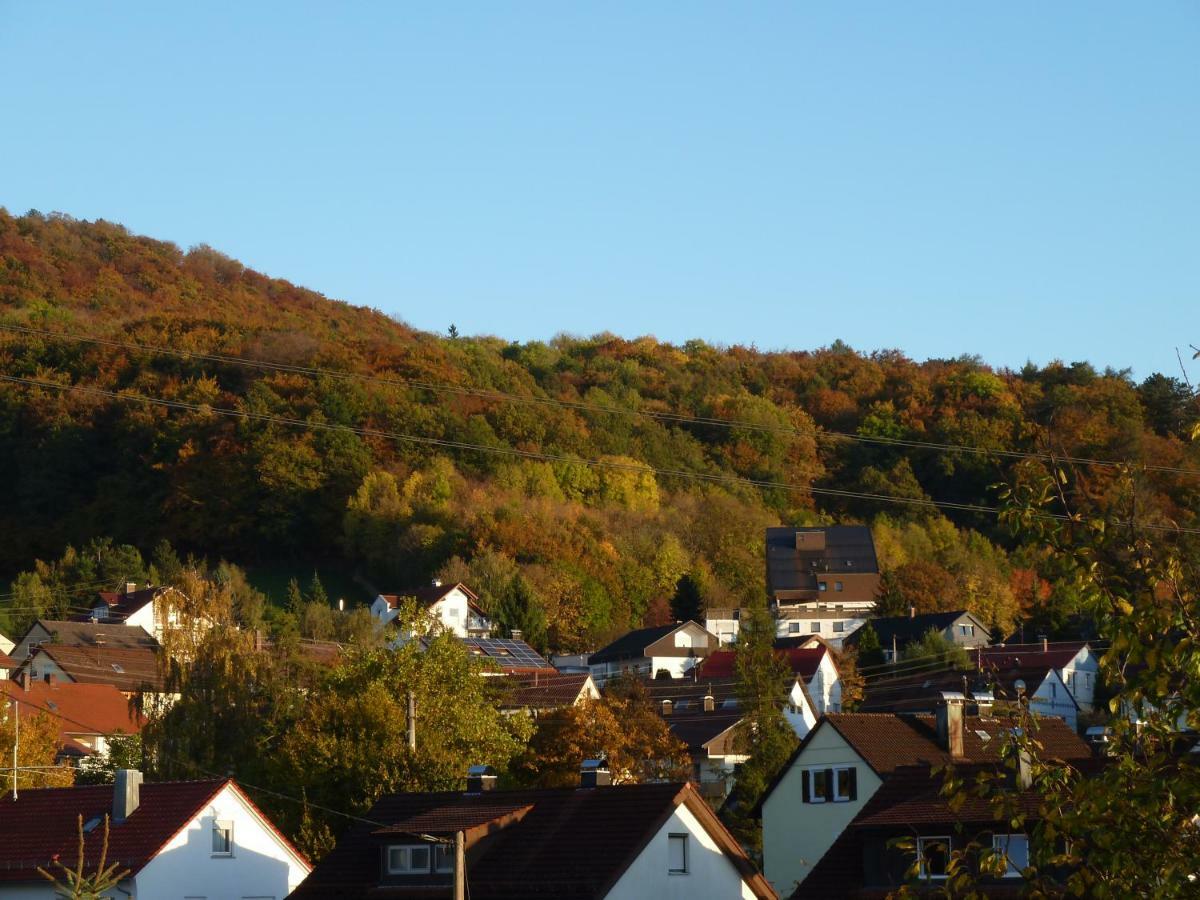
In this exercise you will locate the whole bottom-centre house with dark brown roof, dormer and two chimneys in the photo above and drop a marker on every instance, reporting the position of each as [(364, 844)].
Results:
[(598, 841)]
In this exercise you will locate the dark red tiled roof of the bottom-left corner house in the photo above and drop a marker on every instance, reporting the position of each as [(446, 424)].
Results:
[(164, 811)]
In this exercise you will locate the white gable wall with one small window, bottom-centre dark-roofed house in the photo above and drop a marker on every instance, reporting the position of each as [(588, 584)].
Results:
[(711, 874)]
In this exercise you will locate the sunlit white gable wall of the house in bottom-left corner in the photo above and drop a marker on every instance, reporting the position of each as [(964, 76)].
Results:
[(261, 866)]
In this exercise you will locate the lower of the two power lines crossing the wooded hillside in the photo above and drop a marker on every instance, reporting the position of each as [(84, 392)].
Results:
[(712, 478)]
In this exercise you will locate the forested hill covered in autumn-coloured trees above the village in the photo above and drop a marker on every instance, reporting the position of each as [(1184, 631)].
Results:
[(572, 553)]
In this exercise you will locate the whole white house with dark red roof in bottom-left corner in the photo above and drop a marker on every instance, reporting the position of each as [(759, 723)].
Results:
[(193, 839)]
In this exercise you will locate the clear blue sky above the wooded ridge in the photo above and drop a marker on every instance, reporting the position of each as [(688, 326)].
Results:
[(1019, 181)]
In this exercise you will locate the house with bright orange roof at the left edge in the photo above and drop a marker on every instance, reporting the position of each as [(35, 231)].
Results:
[(87, 715)]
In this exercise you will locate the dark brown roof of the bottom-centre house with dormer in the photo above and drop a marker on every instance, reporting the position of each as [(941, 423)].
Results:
[(572, 844)]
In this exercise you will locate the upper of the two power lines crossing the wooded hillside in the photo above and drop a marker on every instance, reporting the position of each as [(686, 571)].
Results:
[(580, 406)]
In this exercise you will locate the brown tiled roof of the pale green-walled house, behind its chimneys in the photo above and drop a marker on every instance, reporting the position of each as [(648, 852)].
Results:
[(889, 741)]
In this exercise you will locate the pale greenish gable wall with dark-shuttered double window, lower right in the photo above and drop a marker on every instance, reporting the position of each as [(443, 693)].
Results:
[(796, 835)]
